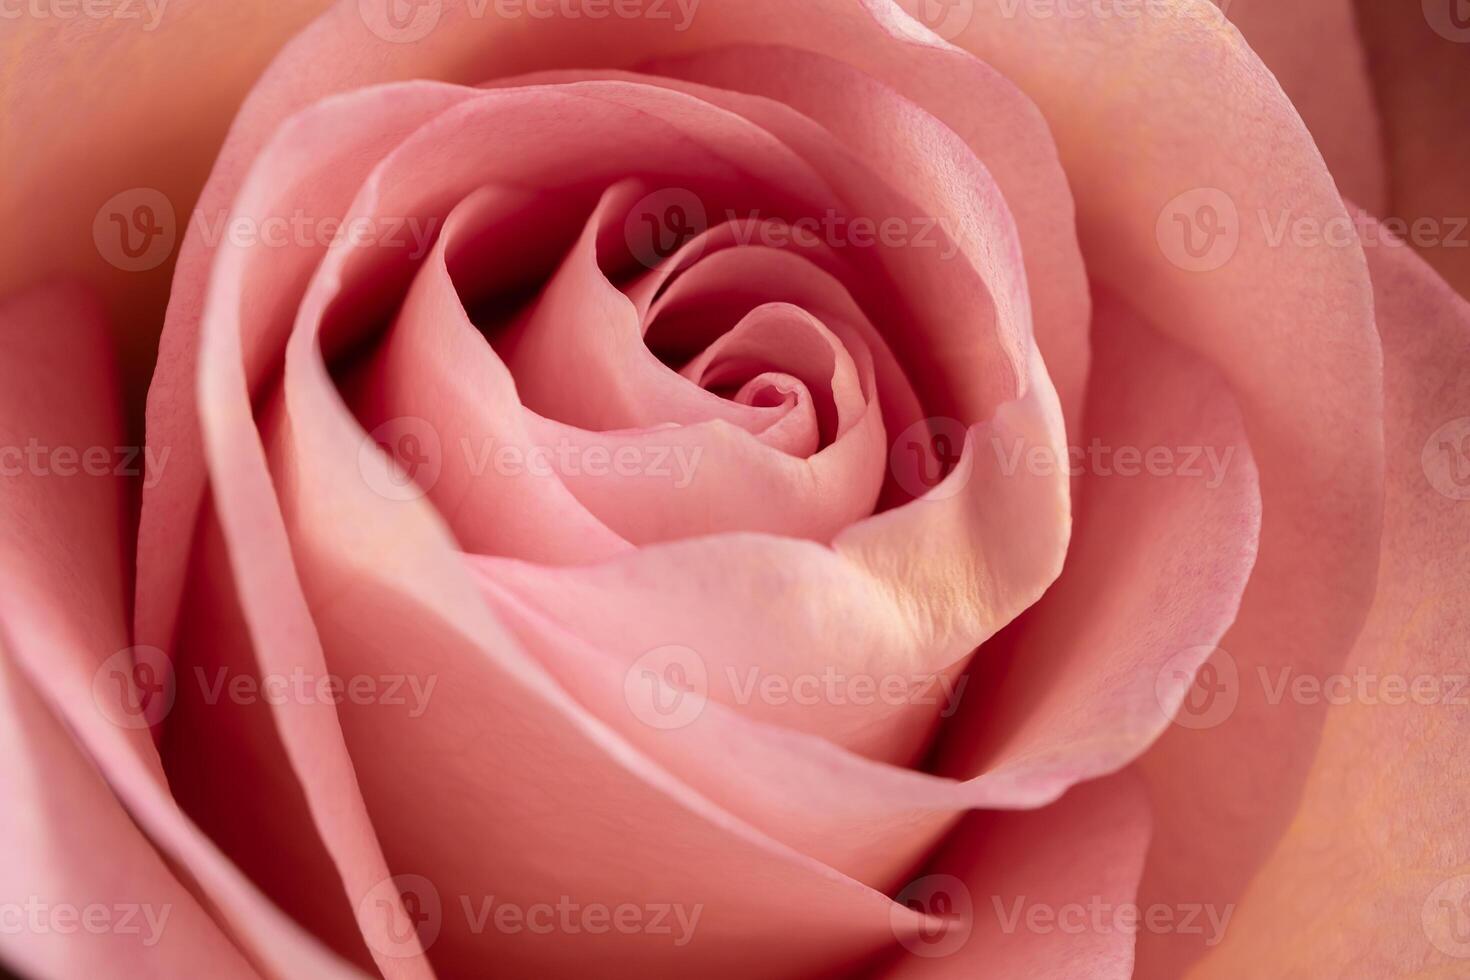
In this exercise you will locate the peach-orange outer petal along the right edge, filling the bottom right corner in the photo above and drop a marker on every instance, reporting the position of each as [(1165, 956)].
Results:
[(1374, 878)]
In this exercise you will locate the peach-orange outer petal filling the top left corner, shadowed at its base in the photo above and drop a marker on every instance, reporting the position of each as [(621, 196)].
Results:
[(152, 86)]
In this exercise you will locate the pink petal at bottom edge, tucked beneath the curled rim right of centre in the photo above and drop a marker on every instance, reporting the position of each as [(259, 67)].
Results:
[(1043, 894)]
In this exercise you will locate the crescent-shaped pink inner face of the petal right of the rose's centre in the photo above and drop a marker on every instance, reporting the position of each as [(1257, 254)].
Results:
[(1168, 530)]
